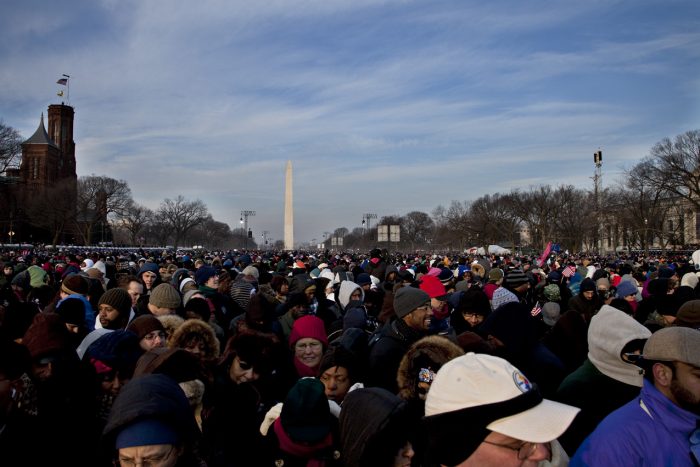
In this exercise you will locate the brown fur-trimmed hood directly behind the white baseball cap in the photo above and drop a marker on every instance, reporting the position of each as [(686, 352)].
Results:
[(433, 351)]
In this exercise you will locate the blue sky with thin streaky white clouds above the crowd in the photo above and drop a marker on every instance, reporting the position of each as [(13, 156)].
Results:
[(382, 106)]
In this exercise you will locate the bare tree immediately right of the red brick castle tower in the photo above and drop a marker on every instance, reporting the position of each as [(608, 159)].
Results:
[(98, 198)]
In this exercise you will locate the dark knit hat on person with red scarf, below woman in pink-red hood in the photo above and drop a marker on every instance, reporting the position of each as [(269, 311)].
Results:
[(306, 416)]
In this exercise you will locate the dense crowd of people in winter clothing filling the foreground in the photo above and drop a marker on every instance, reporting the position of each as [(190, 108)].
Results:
[(247, 358)]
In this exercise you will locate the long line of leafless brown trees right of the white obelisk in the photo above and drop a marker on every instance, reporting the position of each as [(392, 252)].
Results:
[(654, 204)]
